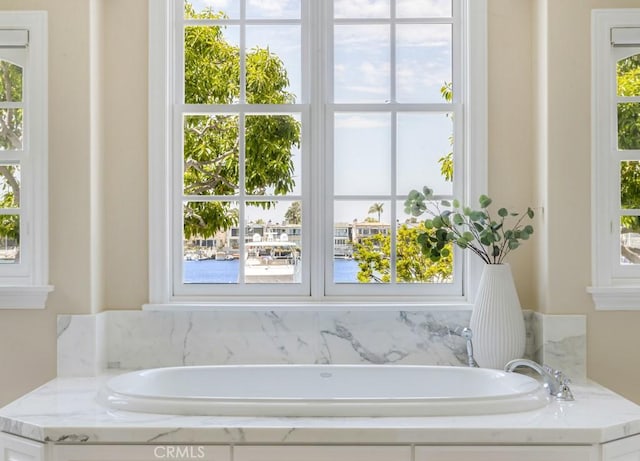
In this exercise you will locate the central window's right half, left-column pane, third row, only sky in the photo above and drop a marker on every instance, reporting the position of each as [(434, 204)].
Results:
[(362, 159)]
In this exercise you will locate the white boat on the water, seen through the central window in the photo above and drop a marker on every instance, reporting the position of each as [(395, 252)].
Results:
[(272, 260)]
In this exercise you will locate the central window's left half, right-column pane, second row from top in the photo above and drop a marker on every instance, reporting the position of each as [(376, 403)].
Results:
[(274, 64)]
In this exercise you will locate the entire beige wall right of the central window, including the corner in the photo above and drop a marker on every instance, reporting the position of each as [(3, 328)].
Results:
[(540, 153)]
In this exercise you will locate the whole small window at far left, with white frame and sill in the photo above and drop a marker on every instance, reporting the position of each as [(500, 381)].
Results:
[(23, 160)]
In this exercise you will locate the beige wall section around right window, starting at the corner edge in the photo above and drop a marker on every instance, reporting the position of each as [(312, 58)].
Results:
[(613, 340)]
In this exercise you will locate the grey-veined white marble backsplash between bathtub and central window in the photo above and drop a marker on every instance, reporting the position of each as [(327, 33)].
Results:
[(90, 344)]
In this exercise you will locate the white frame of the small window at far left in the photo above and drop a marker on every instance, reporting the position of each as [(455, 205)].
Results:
[(25, 284)]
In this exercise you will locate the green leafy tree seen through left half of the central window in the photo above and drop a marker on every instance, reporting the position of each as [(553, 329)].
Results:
[(212, 142)]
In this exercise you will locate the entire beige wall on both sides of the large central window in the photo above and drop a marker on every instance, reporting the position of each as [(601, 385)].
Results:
[(539, 105)]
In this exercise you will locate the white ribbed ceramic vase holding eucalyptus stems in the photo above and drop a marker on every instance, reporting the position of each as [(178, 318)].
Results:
[(497, 322)]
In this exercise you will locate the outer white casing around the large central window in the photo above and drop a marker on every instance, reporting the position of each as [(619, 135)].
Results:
[(161, 97)]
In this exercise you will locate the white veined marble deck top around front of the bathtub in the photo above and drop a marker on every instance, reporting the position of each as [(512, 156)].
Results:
[(65, 411)]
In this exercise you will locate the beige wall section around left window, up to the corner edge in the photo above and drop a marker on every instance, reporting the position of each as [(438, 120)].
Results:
[(27, 338)]
